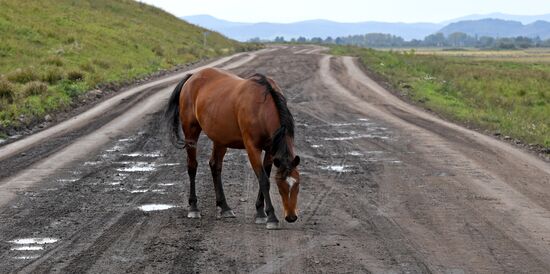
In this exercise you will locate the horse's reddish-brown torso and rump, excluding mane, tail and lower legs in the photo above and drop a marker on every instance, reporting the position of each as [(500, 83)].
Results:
[(225, 106)]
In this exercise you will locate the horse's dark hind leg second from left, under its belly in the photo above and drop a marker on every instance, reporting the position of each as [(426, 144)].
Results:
[(216, 163)]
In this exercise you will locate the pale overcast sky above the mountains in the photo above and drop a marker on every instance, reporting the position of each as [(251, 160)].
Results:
[(285, 11)]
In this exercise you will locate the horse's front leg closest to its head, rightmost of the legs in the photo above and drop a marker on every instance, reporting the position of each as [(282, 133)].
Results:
[(255, 157)]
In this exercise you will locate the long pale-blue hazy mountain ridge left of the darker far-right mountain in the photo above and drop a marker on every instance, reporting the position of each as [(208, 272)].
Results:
[(311, 28)]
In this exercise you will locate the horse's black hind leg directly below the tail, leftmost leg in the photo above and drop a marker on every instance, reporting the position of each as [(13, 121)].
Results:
[(192, 133)]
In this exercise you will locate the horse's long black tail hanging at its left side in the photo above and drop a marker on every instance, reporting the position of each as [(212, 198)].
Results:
[(171, 115)]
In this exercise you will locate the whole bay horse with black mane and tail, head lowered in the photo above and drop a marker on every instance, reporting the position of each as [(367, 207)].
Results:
[(237, 113)]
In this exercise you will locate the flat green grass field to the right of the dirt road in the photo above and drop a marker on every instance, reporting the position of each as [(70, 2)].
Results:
[(511, 96)]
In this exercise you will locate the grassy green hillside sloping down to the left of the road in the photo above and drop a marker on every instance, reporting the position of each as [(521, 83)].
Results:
[(54, 50)]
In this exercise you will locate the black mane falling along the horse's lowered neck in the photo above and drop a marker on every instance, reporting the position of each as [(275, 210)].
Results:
[(279, 147)]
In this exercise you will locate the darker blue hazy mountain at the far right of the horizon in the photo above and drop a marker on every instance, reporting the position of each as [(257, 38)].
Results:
[(499, 28)]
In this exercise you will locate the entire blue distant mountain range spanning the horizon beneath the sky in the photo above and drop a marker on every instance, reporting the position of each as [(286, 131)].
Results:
[(498, 26)]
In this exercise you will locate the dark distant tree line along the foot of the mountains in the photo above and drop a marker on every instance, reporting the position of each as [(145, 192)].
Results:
[(454, 40)]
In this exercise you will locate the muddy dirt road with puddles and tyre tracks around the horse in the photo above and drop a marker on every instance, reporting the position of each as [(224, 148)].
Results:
[(386, 188)]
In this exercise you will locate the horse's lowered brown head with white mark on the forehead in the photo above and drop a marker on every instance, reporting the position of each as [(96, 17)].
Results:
[(288, 182)]
